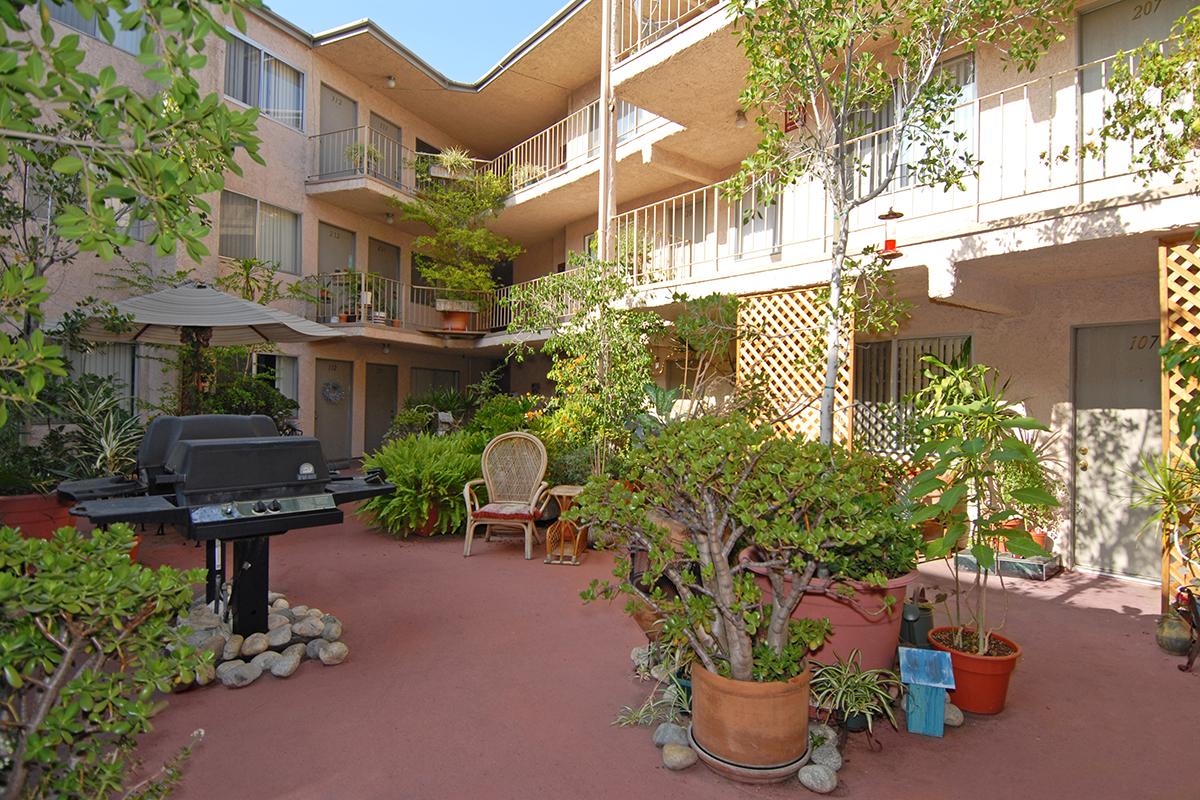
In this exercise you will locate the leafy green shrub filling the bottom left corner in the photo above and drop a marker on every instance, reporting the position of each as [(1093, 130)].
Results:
[(86, 645)]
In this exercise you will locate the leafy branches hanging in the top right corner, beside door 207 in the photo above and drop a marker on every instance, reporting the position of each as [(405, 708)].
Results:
[(1155, 101)]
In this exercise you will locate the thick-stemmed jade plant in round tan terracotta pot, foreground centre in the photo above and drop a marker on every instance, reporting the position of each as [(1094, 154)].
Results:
[(729, 482)]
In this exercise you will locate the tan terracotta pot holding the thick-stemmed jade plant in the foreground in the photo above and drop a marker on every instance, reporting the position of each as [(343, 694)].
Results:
[(757, 726)]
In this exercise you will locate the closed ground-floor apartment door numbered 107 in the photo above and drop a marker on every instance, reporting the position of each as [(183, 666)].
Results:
[(1118, 423)]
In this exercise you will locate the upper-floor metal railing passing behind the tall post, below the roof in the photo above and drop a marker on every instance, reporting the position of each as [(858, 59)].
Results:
[(569, 143)]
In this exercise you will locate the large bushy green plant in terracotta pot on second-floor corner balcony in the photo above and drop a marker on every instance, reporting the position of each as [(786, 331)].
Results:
[(459, 251)]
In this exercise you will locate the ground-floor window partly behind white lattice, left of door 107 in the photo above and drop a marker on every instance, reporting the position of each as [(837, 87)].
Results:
[(886, 374)]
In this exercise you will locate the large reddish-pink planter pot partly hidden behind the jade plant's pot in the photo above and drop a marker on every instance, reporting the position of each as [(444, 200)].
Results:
[(874, 635)]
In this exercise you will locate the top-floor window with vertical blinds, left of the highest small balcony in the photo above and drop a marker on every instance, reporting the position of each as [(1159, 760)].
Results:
[(257, 79)]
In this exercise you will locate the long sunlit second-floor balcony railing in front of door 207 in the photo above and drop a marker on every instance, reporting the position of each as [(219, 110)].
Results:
[(1040, 149)]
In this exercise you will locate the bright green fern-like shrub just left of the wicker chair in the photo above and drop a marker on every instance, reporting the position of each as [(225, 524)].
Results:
[(429, 473)]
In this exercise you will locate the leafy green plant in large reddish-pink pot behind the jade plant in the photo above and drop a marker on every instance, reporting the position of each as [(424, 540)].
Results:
[(865, 598)]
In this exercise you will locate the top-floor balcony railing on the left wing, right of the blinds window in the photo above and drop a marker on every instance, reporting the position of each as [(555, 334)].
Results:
[(367, 153)]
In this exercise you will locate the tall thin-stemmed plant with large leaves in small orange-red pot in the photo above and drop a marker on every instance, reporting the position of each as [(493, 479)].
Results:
[(974, 437)]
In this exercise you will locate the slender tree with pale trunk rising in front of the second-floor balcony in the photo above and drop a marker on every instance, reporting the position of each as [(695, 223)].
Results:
[(832, 65)]
